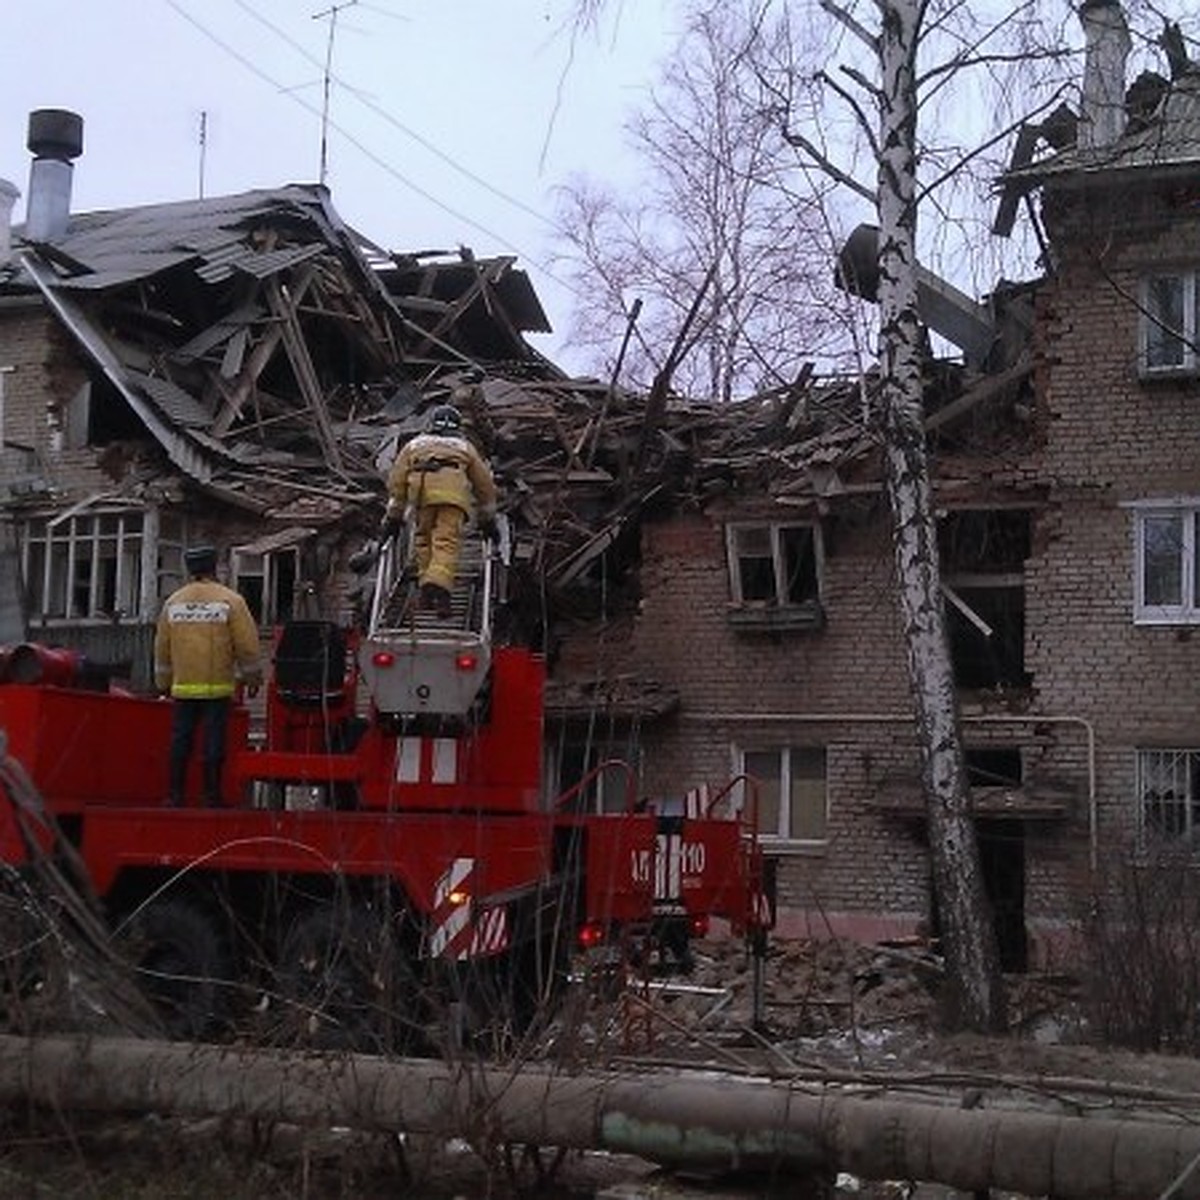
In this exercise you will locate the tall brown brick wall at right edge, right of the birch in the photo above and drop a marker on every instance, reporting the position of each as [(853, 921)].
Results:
[(1114, 440)]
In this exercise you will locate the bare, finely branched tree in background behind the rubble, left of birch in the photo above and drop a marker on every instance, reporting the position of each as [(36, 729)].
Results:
[(722, 218)]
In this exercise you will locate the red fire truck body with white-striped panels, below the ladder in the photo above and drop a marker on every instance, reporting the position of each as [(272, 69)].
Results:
[(436, 829)]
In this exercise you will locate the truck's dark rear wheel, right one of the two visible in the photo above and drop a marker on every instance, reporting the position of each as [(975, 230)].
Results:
[(347, 985)]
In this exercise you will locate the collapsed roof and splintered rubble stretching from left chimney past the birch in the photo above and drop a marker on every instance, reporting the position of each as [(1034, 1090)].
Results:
[(272, 353)]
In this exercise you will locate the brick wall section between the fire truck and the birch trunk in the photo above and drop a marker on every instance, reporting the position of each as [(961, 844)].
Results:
[(842, 687)]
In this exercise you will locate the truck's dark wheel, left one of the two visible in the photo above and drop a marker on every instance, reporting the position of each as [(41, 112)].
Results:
[(182, 964)]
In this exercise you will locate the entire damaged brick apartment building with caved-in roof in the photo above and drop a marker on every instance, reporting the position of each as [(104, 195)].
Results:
[(712, 584)]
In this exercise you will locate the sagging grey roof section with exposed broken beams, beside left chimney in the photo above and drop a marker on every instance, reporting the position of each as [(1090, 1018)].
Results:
[(257, 339)]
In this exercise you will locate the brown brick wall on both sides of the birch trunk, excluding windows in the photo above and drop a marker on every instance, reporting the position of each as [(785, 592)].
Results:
[(1101, 440)]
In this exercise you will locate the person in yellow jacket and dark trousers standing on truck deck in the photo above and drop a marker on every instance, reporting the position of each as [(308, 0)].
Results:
[(206, 641)]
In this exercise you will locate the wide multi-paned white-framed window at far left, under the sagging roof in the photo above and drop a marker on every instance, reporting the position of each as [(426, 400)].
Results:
[(85, 567)]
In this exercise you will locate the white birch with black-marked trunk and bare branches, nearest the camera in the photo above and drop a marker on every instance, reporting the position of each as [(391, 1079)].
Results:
[(928, 93)]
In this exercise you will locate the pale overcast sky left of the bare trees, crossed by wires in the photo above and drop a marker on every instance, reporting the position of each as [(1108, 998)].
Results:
[(452, 122)]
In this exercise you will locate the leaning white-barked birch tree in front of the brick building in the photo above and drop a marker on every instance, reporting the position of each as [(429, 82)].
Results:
[(925, 51)]
